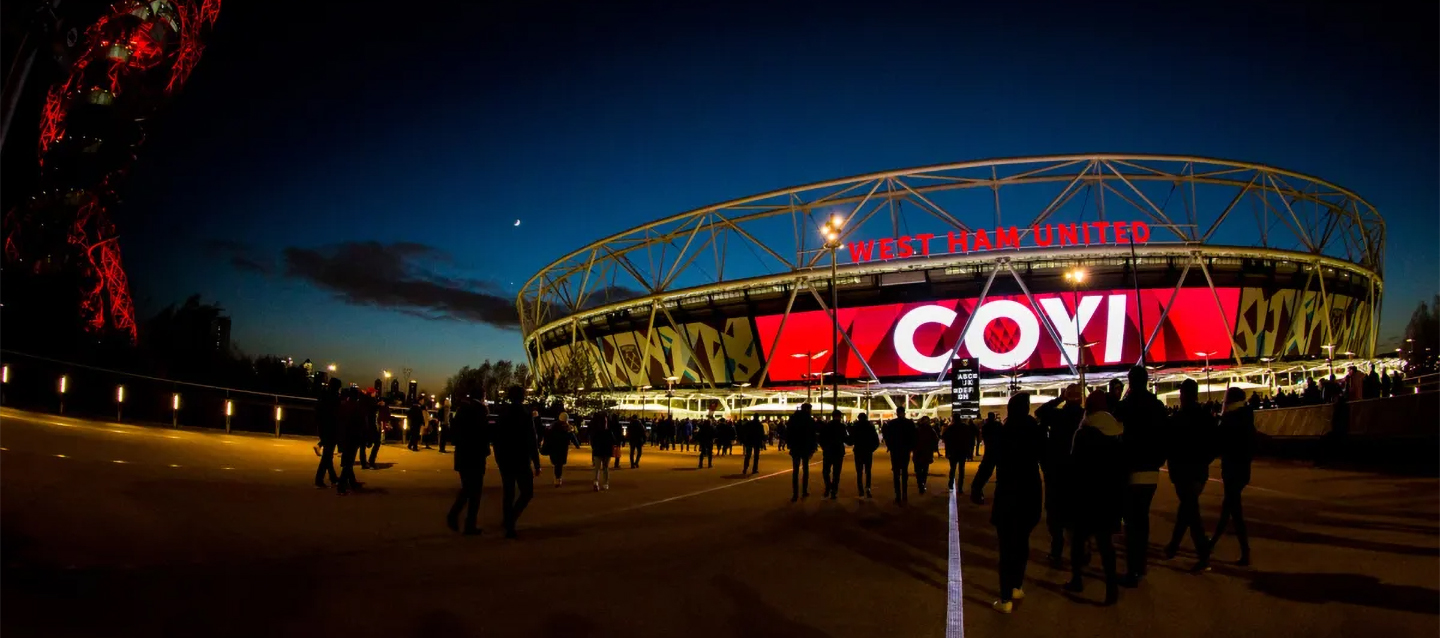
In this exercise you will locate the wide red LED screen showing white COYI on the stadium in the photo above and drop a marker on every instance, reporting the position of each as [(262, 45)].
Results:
[(1007, 333)]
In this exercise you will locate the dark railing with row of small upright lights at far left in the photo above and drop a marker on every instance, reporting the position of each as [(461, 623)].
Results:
[(73, 390)]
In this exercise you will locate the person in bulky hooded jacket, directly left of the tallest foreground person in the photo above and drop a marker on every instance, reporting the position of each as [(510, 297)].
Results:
[(1098, 462)]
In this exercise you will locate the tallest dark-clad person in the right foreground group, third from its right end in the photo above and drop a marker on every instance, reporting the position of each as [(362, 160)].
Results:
[(1143, 415)]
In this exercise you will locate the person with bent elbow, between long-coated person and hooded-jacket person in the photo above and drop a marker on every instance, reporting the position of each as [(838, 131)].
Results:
[(1061, 418)]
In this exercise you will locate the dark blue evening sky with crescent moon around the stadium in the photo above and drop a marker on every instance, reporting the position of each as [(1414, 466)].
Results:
[(437, 126)]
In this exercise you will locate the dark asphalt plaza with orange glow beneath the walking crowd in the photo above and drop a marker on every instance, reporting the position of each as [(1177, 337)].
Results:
[(117, 529)]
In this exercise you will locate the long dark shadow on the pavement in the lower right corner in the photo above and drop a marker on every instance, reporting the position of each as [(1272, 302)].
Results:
[(1347, 588)]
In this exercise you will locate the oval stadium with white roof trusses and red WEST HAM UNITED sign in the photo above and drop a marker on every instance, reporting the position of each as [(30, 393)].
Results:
[(869, 292)]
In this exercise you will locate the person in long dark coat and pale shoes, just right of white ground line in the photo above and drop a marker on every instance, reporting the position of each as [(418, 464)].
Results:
[(1016, 512)]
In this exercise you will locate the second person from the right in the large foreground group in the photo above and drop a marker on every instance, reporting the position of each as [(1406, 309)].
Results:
[(1190, 451)]
